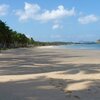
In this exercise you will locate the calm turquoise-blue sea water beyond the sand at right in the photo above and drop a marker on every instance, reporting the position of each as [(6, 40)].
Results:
[(82, 46)]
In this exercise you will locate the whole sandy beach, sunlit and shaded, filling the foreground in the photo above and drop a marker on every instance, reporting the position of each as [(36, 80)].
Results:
[(49, 73)]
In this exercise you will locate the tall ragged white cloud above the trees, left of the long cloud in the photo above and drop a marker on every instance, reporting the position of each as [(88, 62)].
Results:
[(29, 12)]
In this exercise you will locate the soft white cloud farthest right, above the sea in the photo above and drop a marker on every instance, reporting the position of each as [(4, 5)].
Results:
[(88, 19)]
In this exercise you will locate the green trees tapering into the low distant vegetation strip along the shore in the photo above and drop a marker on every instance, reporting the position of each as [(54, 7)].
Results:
[(12, 39)]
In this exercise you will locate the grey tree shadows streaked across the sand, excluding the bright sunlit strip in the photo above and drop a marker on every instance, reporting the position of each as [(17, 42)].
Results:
[(43, 88)]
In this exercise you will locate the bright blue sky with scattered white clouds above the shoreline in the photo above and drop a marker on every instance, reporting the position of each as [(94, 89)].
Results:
[(53, 20)]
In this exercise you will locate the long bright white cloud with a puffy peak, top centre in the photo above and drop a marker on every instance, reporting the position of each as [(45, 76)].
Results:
[(56, 14)]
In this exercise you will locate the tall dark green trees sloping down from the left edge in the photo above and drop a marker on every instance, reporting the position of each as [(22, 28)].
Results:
[(11, 39)]
